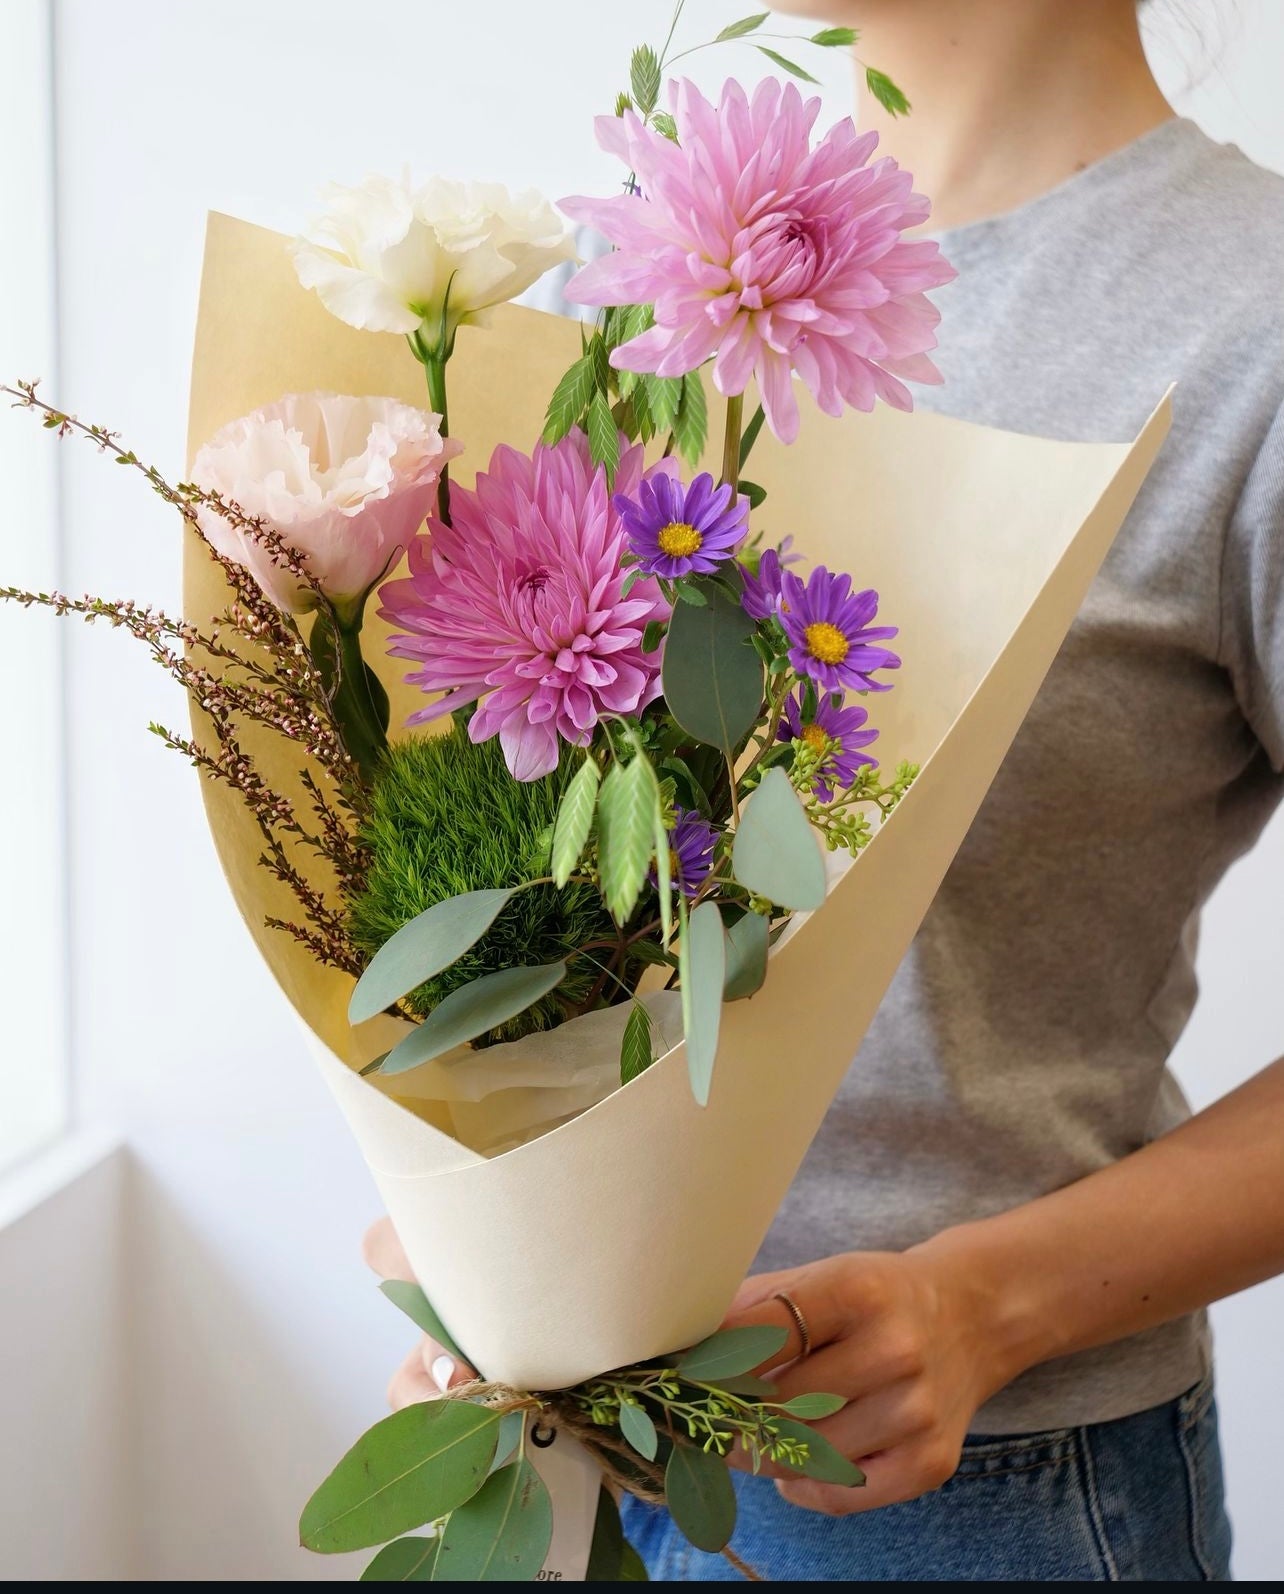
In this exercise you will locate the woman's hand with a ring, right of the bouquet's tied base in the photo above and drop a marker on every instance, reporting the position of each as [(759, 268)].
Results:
[(909, 1341)]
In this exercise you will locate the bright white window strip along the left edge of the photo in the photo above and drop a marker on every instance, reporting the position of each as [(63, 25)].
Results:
[(36, 1101)]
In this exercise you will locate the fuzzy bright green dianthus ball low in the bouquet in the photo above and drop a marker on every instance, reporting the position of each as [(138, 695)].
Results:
[(447, 819)]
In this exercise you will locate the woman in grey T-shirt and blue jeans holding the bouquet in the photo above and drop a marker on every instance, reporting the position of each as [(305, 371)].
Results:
[(1006, 1231)]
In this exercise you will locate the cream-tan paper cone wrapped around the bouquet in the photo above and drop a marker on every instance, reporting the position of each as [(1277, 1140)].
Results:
[(625, 1233)]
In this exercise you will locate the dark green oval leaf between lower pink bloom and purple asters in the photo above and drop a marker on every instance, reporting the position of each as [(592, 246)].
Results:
[(711, 673)]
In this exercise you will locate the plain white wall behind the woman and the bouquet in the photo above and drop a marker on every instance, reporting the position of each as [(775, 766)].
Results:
[(262, 1346)]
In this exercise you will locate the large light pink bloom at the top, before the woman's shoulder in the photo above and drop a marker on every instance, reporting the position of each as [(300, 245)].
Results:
[(767, 254)]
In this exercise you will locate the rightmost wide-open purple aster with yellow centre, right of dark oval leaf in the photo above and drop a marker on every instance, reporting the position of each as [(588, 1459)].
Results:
[(831, 635)]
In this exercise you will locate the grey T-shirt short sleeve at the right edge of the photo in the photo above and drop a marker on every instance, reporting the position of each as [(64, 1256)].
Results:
[(1253, 597)]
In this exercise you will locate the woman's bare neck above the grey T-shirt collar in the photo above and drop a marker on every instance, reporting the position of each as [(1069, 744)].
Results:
[(1011, 96)]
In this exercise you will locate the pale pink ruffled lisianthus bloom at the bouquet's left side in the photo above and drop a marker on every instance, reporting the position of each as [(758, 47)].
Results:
[(345, 482)]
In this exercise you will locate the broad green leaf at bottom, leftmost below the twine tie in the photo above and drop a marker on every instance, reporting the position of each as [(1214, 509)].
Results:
[(410, 1469)]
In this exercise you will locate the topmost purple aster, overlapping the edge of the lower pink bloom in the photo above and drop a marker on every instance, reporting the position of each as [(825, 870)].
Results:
[(683, 532)]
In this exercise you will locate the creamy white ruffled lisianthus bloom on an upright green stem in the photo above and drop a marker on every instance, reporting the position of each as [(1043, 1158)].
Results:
[(391, 257)]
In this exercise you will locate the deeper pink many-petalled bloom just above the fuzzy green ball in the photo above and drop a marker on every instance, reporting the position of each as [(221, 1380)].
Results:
[(520, 603)]
